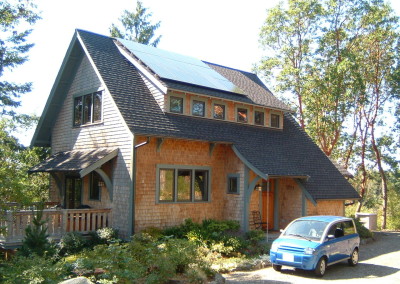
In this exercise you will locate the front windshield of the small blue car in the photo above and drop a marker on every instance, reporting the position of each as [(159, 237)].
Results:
[(306, 229)]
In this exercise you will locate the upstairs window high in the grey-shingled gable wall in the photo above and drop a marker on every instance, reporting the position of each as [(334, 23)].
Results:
[(87, 108)]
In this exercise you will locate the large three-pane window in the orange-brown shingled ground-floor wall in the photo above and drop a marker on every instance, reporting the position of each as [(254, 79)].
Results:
[(182, 184)]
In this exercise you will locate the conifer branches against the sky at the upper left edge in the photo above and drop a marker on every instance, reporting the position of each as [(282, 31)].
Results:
[(14, 18)]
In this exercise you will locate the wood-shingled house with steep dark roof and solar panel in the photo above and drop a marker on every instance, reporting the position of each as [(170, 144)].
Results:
[(154, 138)]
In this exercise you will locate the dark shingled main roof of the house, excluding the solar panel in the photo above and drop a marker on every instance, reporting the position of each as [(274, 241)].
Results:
[(289, 152)]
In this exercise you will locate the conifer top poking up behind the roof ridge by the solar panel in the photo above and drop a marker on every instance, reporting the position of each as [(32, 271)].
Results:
[(137, 26)]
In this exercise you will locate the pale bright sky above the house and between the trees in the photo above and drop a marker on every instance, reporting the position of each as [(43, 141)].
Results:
[(224, 32)]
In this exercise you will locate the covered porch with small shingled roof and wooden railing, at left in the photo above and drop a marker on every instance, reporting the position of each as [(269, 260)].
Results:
[(80, 196)]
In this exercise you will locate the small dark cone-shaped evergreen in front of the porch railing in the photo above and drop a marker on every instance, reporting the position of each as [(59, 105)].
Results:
[(36, 237)]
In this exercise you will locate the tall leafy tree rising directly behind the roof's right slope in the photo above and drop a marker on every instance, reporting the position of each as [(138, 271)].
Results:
[(288, 35)]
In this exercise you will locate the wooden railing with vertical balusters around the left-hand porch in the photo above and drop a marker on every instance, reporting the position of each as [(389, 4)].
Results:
[(58, 221)]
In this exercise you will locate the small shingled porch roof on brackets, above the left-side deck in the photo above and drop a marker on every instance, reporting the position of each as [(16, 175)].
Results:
[(77, 161)]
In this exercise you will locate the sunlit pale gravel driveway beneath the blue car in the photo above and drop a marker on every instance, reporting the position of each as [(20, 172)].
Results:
[(379, 263)]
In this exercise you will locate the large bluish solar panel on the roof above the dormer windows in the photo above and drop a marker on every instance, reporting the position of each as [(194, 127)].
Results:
[(173, 66)]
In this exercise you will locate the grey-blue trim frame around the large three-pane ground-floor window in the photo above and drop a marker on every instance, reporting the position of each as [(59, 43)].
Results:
[(175, 193)]
